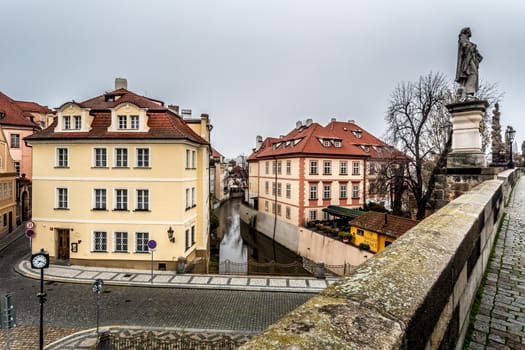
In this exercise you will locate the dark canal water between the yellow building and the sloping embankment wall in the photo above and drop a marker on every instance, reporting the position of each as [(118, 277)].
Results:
[(235, 246)]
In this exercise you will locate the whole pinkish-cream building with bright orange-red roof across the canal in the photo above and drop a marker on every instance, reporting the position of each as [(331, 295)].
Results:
[(296, 175)]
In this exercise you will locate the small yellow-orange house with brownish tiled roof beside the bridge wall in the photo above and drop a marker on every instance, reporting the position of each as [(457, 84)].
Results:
[(376, 231)]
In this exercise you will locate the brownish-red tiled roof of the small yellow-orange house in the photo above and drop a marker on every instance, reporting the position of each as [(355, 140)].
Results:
[(390, 225)]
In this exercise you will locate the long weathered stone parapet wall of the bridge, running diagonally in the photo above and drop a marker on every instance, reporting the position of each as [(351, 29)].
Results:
[(416, 294)]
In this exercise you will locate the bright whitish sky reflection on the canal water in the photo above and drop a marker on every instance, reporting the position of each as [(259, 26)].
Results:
[(232, 247)]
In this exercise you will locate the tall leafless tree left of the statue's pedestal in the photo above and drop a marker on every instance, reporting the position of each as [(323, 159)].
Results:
[(418, 124)]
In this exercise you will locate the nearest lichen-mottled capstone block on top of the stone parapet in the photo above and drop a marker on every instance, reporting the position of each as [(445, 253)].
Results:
[(331, 323)]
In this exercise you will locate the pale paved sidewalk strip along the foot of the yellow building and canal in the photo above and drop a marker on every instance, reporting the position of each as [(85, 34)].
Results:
[(169, 279)]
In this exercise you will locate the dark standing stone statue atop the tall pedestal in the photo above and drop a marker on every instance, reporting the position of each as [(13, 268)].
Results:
[(467, 66)]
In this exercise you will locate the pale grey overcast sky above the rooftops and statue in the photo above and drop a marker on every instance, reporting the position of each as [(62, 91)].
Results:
[(257, 67)]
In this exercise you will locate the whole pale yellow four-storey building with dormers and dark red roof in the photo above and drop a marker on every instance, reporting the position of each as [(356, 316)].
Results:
[(115, 172)]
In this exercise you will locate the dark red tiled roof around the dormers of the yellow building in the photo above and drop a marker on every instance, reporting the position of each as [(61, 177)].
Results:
[(162, 122)]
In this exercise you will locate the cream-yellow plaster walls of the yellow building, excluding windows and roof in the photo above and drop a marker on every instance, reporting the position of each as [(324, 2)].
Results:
[(166, 179)]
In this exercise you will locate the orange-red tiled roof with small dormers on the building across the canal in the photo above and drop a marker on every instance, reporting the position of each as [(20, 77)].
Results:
[(344, 139)]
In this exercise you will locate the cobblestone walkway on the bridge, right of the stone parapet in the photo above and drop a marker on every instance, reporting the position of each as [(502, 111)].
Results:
[(500, 322)]
